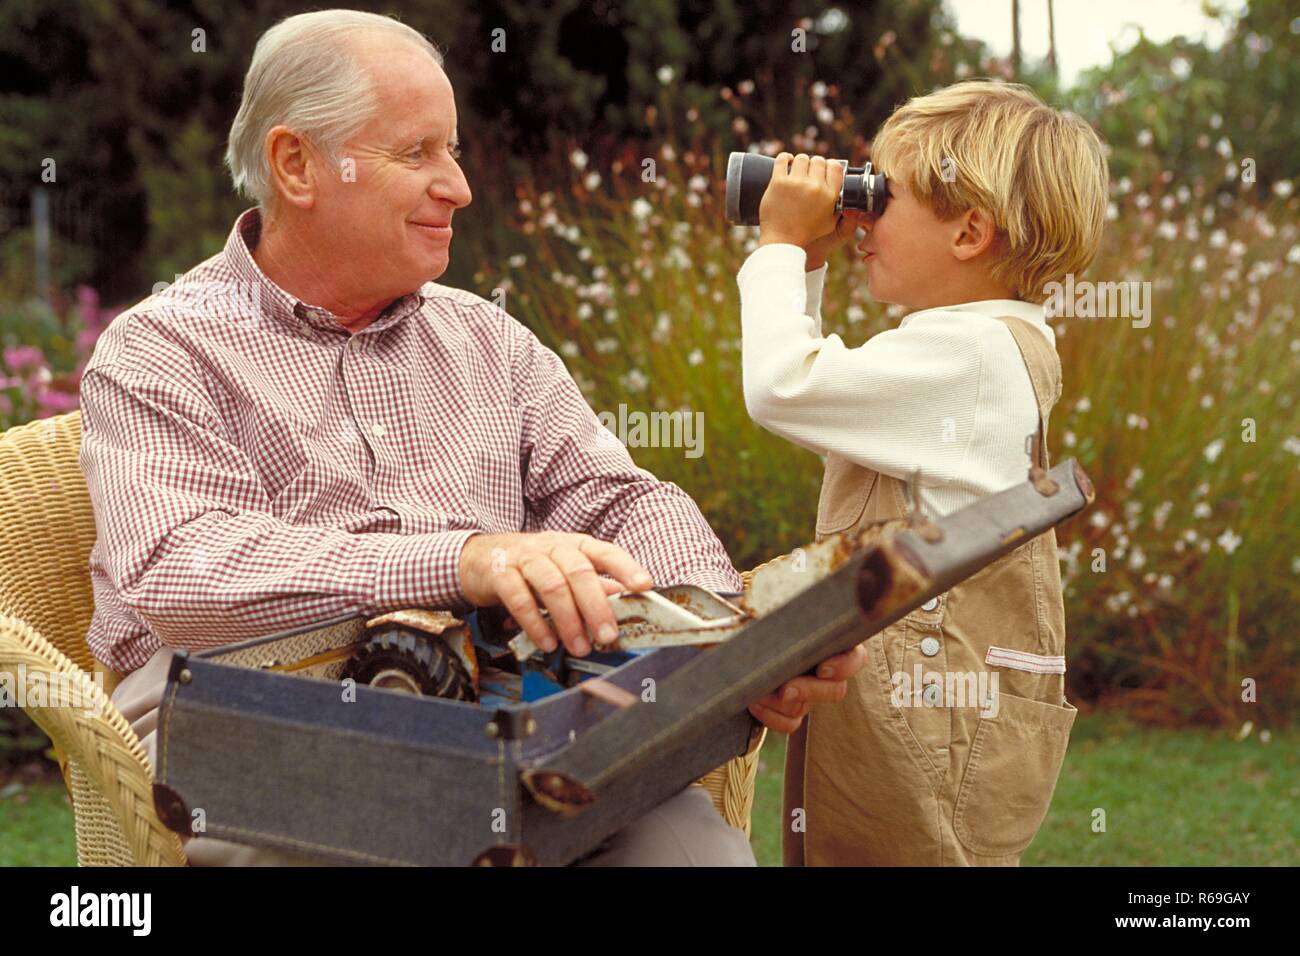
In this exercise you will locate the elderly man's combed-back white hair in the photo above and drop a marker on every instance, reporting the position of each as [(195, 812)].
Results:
[(305, 76)]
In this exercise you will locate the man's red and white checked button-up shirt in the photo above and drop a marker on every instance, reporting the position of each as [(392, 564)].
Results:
[(254, 466)]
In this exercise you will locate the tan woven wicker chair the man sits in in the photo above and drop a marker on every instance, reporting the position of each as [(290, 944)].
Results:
[(47, 529)]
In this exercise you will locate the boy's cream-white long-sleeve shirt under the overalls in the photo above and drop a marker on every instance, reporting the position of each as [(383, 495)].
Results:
[(947, 392)]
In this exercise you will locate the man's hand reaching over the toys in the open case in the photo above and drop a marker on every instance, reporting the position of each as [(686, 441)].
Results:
[(562, 570)]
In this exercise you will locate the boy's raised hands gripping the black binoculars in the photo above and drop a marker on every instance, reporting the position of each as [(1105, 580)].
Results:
[(799, 207)]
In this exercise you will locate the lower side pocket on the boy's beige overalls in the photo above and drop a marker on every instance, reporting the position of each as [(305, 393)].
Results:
[(1011, 776)]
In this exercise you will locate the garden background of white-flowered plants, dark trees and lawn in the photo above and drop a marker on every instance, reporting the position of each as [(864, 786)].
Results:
[(1181, 581)]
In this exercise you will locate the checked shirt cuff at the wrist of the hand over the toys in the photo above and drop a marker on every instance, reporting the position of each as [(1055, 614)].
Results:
[(422, 572)]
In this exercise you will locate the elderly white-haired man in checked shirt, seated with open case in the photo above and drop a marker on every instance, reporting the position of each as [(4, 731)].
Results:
[(306, 426)]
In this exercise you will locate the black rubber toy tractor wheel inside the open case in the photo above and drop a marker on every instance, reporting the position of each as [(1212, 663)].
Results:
[(401, 660)]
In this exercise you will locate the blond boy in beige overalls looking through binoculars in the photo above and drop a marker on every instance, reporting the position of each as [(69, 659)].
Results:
[(993, 196)]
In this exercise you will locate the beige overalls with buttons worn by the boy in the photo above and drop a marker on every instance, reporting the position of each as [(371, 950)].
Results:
[(889, 778)]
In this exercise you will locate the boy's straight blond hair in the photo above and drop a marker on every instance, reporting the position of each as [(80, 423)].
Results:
[(995, 146)]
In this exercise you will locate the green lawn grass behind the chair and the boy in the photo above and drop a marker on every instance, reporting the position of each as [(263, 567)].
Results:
[(1172, 798)]
